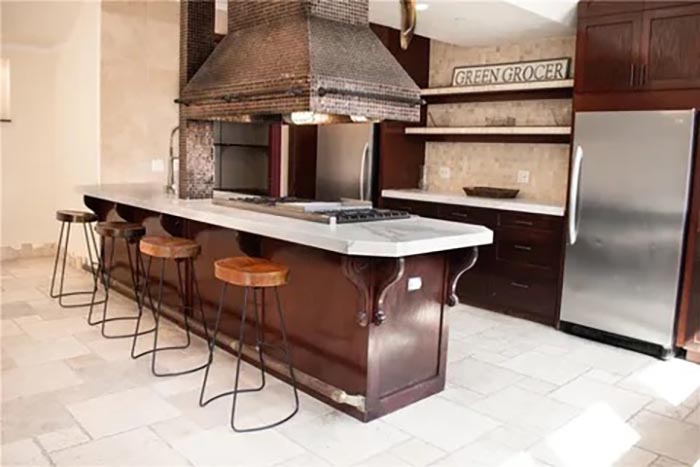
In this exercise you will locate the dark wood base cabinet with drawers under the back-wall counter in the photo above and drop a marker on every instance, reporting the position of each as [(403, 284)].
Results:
[(519, 274)]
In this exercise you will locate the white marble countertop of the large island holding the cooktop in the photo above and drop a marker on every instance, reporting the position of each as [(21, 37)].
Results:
[(393, 238)]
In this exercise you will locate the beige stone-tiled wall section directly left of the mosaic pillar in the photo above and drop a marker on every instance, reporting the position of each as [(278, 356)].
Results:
[(139, 76)]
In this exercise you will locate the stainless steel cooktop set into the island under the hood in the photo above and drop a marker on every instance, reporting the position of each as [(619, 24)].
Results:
[(342, 212)]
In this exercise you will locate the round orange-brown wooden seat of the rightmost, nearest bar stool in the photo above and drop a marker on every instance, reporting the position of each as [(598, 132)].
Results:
[(251, 272)]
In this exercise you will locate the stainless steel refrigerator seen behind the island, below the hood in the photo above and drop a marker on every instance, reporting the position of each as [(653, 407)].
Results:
[(346, 162)]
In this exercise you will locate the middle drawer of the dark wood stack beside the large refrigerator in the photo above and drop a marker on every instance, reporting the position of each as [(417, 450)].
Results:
[(528, 247)]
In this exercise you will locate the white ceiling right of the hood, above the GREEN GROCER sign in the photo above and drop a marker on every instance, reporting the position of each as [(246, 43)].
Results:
[(483, 22)]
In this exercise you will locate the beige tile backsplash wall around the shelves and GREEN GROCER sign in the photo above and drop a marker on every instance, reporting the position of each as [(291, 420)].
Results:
[(498, 164)]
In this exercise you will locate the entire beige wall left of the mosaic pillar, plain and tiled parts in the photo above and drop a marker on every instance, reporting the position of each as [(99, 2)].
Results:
[(92, 100)]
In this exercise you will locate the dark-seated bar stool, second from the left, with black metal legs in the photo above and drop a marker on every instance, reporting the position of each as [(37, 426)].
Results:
[(131, 234)]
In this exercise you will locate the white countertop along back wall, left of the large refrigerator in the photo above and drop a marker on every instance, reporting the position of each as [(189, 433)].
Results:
[(489, 203)]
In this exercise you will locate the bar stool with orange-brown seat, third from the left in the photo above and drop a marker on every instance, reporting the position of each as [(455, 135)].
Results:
[(182, 251)]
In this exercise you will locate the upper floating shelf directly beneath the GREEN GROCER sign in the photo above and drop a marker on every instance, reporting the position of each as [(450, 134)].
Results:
[(561, 89)]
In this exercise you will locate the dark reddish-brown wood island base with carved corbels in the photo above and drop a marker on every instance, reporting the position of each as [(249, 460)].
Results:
[(369, 334)]
